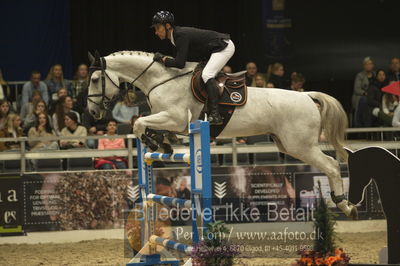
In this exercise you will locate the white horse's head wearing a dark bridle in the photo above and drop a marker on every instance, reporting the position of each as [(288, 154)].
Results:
[(103, 90)]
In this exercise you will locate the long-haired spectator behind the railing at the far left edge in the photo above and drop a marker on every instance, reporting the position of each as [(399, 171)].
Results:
[(12, 129)]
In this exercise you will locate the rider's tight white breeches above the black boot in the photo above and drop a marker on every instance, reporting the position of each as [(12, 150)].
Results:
[(217, 61)]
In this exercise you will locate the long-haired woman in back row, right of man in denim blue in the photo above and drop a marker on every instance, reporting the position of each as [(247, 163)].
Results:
[(55, 80)]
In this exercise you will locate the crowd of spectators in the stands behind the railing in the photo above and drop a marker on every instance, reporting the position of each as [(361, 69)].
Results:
[(57, 106)]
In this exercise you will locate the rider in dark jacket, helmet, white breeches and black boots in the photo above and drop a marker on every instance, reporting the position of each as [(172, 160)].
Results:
[(213, 46)]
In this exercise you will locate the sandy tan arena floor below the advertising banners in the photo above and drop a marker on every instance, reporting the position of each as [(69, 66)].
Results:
[(362, 248)]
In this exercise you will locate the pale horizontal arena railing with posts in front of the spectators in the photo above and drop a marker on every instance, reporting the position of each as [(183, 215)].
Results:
[(130, 152)]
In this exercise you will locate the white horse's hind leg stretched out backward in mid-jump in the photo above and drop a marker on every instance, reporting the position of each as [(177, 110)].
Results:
[(315, 157)]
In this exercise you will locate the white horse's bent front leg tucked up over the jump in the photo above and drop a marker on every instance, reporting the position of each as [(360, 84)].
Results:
[(144, 128)]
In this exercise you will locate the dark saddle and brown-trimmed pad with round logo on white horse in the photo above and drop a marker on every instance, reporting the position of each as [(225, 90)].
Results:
[(232, 87)]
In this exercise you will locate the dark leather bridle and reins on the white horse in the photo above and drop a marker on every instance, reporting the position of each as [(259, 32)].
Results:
[(105, 101)]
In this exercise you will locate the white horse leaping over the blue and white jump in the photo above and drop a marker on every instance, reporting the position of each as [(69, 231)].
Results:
[(293, 119)]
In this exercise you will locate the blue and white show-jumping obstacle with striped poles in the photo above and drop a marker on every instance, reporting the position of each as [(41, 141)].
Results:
[(200, 203)]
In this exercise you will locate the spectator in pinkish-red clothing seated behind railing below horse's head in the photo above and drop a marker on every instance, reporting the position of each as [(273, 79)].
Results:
[(109, 144)]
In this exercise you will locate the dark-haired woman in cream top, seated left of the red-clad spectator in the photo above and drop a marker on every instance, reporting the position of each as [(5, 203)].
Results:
[(72, 129)]
